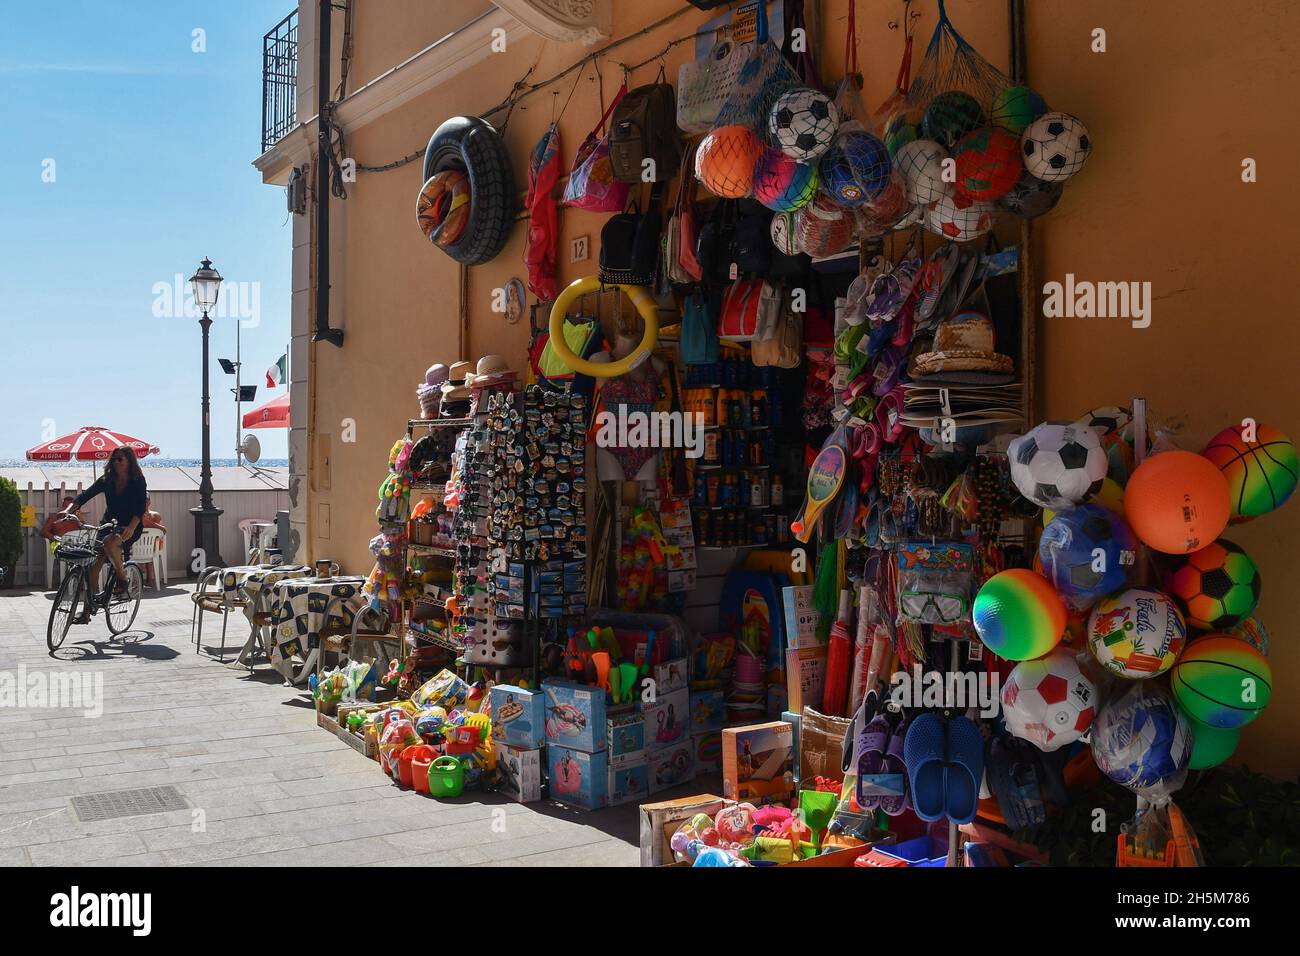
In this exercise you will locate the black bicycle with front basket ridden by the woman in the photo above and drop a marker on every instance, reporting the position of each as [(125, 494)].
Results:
[(80, 551)]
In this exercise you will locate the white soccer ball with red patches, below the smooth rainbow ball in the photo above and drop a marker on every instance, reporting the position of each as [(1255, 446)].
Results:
[(1050, 702)]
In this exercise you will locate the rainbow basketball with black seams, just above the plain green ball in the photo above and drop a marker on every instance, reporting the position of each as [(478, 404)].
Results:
[(1223, 682)]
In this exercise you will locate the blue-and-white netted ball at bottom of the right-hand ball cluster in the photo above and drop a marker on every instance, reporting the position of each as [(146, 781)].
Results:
[(1141, 738)]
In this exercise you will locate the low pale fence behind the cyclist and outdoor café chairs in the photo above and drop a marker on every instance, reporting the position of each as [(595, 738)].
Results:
[(240, 494)]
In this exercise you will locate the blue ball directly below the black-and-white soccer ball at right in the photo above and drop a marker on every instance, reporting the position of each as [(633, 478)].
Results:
[(1087, 553)]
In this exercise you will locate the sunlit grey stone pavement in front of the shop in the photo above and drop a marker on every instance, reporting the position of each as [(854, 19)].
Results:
[(274, 789)]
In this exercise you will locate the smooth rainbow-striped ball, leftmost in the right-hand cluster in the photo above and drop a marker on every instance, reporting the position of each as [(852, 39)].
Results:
[(1019, 616)]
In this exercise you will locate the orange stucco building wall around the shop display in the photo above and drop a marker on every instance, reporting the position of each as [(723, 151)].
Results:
[(1185, 93)]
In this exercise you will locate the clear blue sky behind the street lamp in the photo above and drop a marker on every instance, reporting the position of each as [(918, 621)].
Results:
[(153, 146)]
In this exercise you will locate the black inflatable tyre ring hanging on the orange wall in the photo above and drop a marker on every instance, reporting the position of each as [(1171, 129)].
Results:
[(474, 145)]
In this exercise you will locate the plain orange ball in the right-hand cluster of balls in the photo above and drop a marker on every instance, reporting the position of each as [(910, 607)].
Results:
[(1177, 503)]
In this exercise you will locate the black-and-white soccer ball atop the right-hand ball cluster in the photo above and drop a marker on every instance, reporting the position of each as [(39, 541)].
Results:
[(1058, 465)]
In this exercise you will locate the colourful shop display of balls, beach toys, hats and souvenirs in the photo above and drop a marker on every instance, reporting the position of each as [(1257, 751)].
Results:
[(801, 546)]
